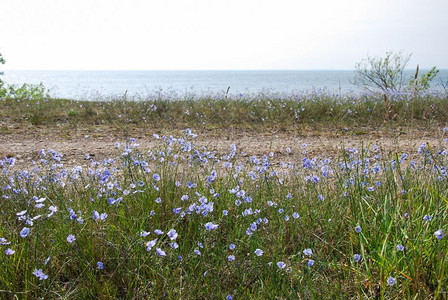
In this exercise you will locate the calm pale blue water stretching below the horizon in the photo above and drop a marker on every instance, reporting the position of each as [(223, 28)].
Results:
[(140, 84)]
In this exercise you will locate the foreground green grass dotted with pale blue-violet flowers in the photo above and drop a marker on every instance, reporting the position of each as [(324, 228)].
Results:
[(184, 222)]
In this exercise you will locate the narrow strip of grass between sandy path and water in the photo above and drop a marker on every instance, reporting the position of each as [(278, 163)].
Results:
[(264, 110)]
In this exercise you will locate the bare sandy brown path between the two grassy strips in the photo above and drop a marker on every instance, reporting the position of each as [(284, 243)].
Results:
[(25, 144)]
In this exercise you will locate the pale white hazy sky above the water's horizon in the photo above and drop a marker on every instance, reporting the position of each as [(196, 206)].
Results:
[(219, 34)]
